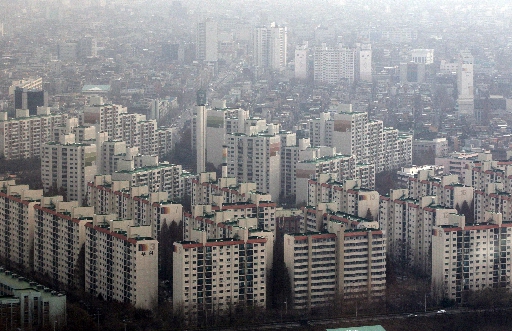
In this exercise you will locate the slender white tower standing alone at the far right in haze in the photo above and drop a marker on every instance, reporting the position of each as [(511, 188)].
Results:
[(466, 99)]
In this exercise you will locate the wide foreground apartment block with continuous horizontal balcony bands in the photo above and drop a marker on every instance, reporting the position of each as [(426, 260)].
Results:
[(341, 263)]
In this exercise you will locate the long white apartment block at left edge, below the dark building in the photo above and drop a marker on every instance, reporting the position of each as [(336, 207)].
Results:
[(23, 136)]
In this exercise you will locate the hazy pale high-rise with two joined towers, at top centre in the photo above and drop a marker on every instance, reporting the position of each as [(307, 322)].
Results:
[(270, 47)]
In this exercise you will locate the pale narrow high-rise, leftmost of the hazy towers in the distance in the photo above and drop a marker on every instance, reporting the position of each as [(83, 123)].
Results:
[(207, 41)]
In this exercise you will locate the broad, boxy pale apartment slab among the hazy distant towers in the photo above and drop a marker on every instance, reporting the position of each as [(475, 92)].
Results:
[(333, 64)]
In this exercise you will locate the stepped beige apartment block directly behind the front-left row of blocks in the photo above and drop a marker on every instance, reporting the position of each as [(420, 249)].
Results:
[(135, 203)]
